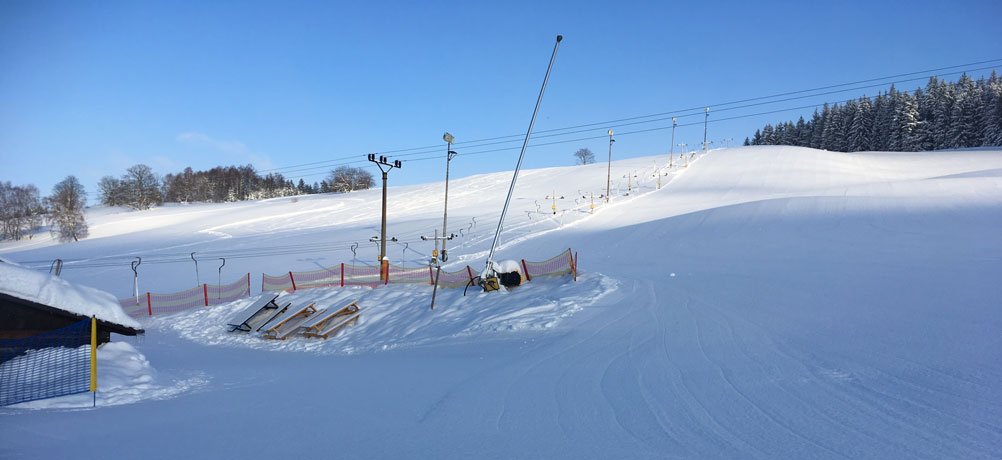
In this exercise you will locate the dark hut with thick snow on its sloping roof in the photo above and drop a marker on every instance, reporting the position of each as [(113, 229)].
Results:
[(33, 303)]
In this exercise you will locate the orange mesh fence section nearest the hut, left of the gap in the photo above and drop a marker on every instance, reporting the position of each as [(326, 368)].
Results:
[(152, 304)]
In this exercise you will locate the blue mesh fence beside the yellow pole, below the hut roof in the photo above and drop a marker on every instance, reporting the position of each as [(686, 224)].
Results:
[(55, 363)]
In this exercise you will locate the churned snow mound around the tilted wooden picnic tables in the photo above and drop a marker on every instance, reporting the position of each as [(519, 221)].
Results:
[(401, 318)]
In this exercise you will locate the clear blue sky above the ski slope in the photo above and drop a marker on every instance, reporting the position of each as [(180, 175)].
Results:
[(91, 89)]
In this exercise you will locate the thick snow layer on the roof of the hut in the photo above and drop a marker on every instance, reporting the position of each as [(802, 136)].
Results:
[(56, 292)]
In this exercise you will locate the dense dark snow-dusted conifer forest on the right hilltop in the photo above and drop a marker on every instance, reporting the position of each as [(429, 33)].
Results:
[(965, 114)]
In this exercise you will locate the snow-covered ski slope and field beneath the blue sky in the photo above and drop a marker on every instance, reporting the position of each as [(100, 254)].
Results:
[(765, 303)]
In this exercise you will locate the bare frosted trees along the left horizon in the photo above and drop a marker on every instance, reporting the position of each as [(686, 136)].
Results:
[(24, 212)]
